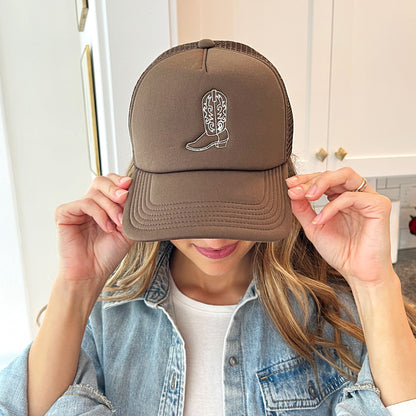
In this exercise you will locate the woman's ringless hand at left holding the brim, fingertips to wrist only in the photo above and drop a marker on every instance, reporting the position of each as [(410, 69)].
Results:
[(91, 242)]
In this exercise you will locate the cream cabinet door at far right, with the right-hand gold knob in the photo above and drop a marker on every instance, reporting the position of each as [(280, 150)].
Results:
[(372, 109)]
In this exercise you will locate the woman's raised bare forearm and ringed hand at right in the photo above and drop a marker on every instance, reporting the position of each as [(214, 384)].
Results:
[(352, 233)]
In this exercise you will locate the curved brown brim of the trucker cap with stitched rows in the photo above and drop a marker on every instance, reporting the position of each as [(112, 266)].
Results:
[(238, 205)]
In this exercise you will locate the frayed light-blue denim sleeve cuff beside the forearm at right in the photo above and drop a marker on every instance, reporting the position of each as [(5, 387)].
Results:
[(361, 398)]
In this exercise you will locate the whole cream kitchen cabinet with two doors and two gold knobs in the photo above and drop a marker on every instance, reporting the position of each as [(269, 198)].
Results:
[(349, 68)]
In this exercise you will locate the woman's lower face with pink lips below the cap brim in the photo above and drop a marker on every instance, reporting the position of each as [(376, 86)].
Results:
[(215, 257)]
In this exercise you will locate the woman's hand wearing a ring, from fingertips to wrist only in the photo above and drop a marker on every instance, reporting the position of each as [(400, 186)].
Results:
[(352, 232)]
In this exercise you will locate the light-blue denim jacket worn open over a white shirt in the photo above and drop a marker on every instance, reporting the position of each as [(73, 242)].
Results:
[(132, 362)]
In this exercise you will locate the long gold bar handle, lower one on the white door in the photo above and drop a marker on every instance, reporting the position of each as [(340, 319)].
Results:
[(90, 112)]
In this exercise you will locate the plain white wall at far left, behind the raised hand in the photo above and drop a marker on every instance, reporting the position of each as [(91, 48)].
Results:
[(42, 97)]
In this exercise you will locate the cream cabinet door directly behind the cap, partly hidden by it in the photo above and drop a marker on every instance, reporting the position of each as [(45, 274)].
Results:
[(294, 36)]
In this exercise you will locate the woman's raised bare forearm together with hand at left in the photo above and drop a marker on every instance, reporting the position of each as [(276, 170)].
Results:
[(91, 244)]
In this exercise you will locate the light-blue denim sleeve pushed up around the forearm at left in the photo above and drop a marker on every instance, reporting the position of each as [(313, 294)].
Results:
[(83, 397)]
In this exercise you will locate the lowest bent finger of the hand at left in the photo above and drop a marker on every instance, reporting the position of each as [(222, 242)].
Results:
[(78, 212)]
